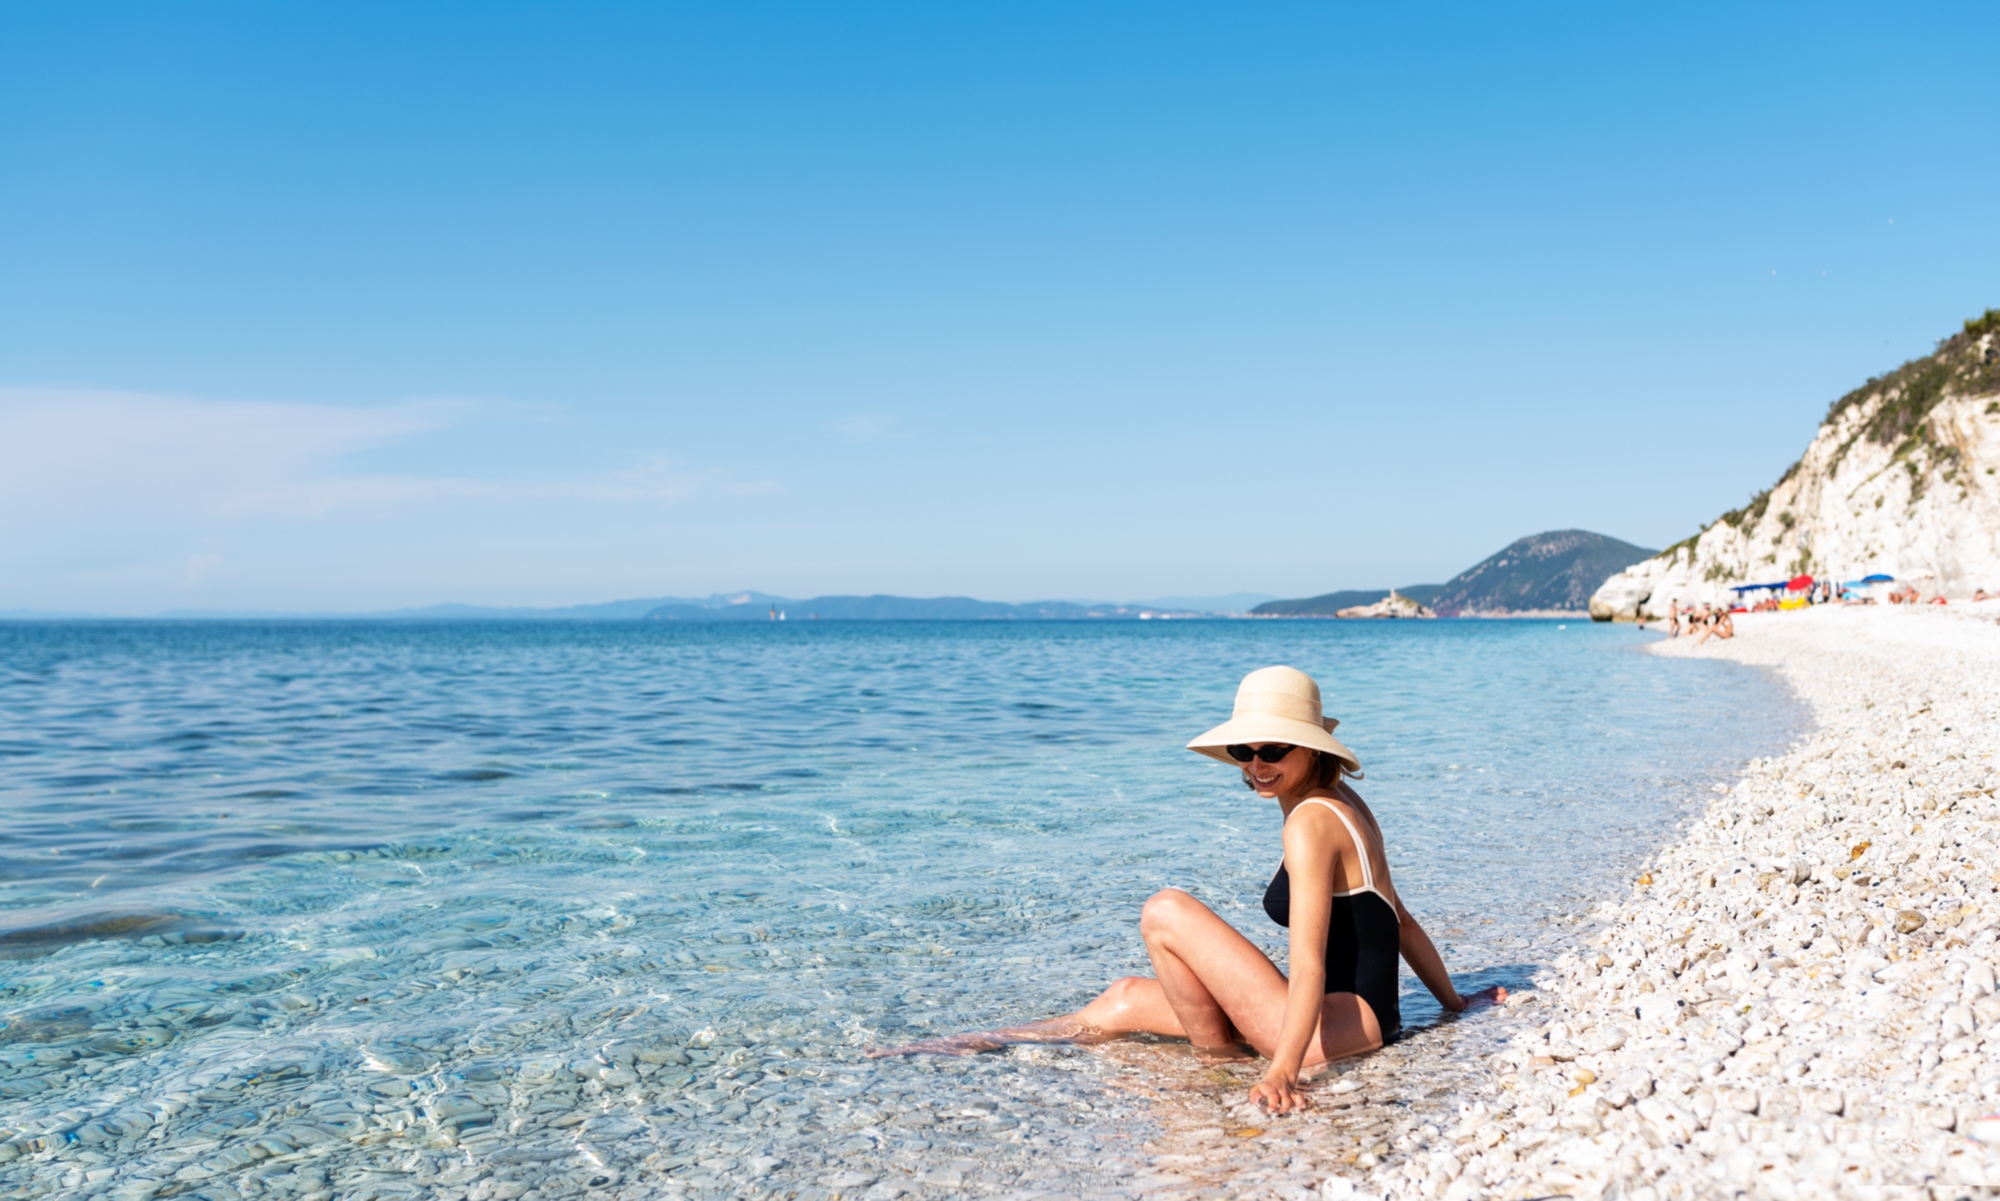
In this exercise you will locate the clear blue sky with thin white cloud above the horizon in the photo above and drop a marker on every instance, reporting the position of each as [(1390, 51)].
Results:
[(349, 307)]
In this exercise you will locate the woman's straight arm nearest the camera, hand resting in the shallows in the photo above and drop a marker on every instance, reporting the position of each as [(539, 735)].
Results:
[(1309, 860)]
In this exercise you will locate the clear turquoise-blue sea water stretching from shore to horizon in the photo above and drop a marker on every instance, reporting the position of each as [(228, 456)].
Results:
[(411, 910)]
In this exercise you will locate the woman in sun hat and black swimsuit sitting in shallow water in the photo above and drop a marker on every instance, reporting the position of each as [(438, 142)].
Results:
[(1211, 984)]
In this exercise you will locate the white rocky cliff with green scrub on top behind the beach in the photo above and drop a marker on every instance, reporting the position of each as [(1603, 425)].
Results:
[(1901, 479)]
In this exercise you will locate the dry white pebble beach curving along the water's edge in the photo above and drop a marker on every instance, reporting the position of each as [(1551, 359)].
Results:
[(1797, 998)]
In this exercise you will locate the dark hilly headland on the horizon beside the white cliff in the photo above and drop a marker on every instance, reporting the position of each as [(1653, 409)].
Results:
[(1541, 573)]
